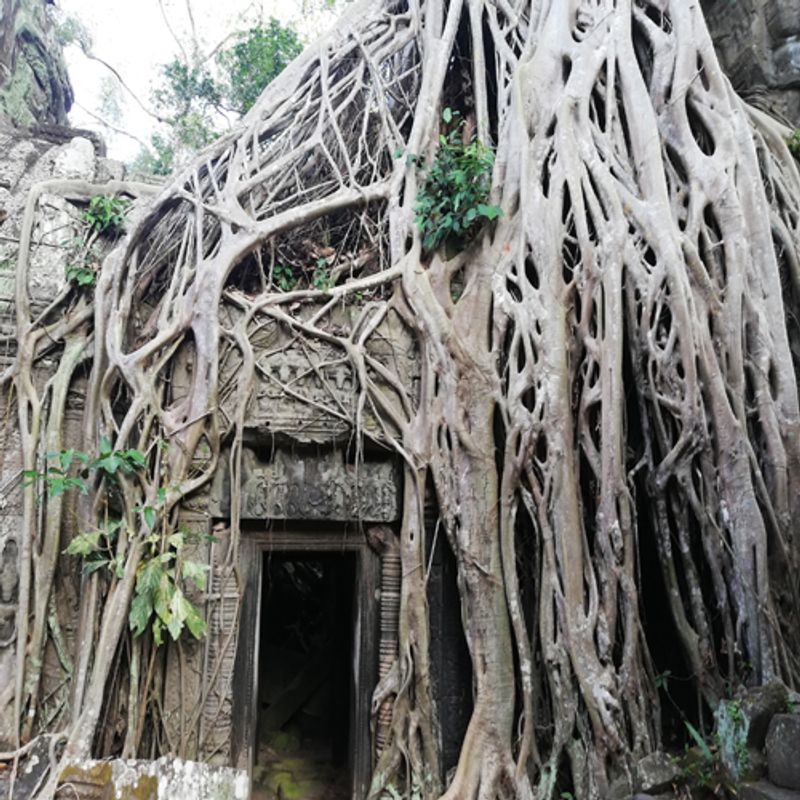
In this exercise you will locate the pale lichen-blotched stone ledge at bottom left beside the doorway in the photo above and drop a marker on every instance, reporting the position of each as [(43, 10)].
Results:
[(164, 779)]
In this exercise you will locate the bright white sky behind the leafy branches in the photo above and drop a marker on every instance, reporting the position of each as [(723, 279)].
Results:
[(133, 37)]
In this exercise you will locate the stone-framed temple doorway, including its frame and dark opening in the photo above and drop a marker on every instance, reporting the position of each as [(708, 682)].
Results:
[(306, 664)]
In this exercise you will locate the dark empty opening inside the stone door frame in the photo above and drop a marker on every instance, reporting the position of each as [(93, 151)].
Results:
[(305, 692)]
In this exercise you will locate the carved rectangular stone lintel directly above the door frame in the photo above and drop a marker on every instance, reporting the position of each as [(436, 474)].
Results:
[(318, 487)]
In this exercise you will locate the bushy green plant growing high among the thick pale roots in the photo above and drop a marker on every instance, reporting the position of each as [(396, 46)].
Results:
[(452, 201)]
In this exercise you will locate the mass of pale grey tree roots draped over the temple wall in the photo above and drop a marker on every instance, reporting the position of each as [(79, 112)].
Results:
[(607, 370)]
